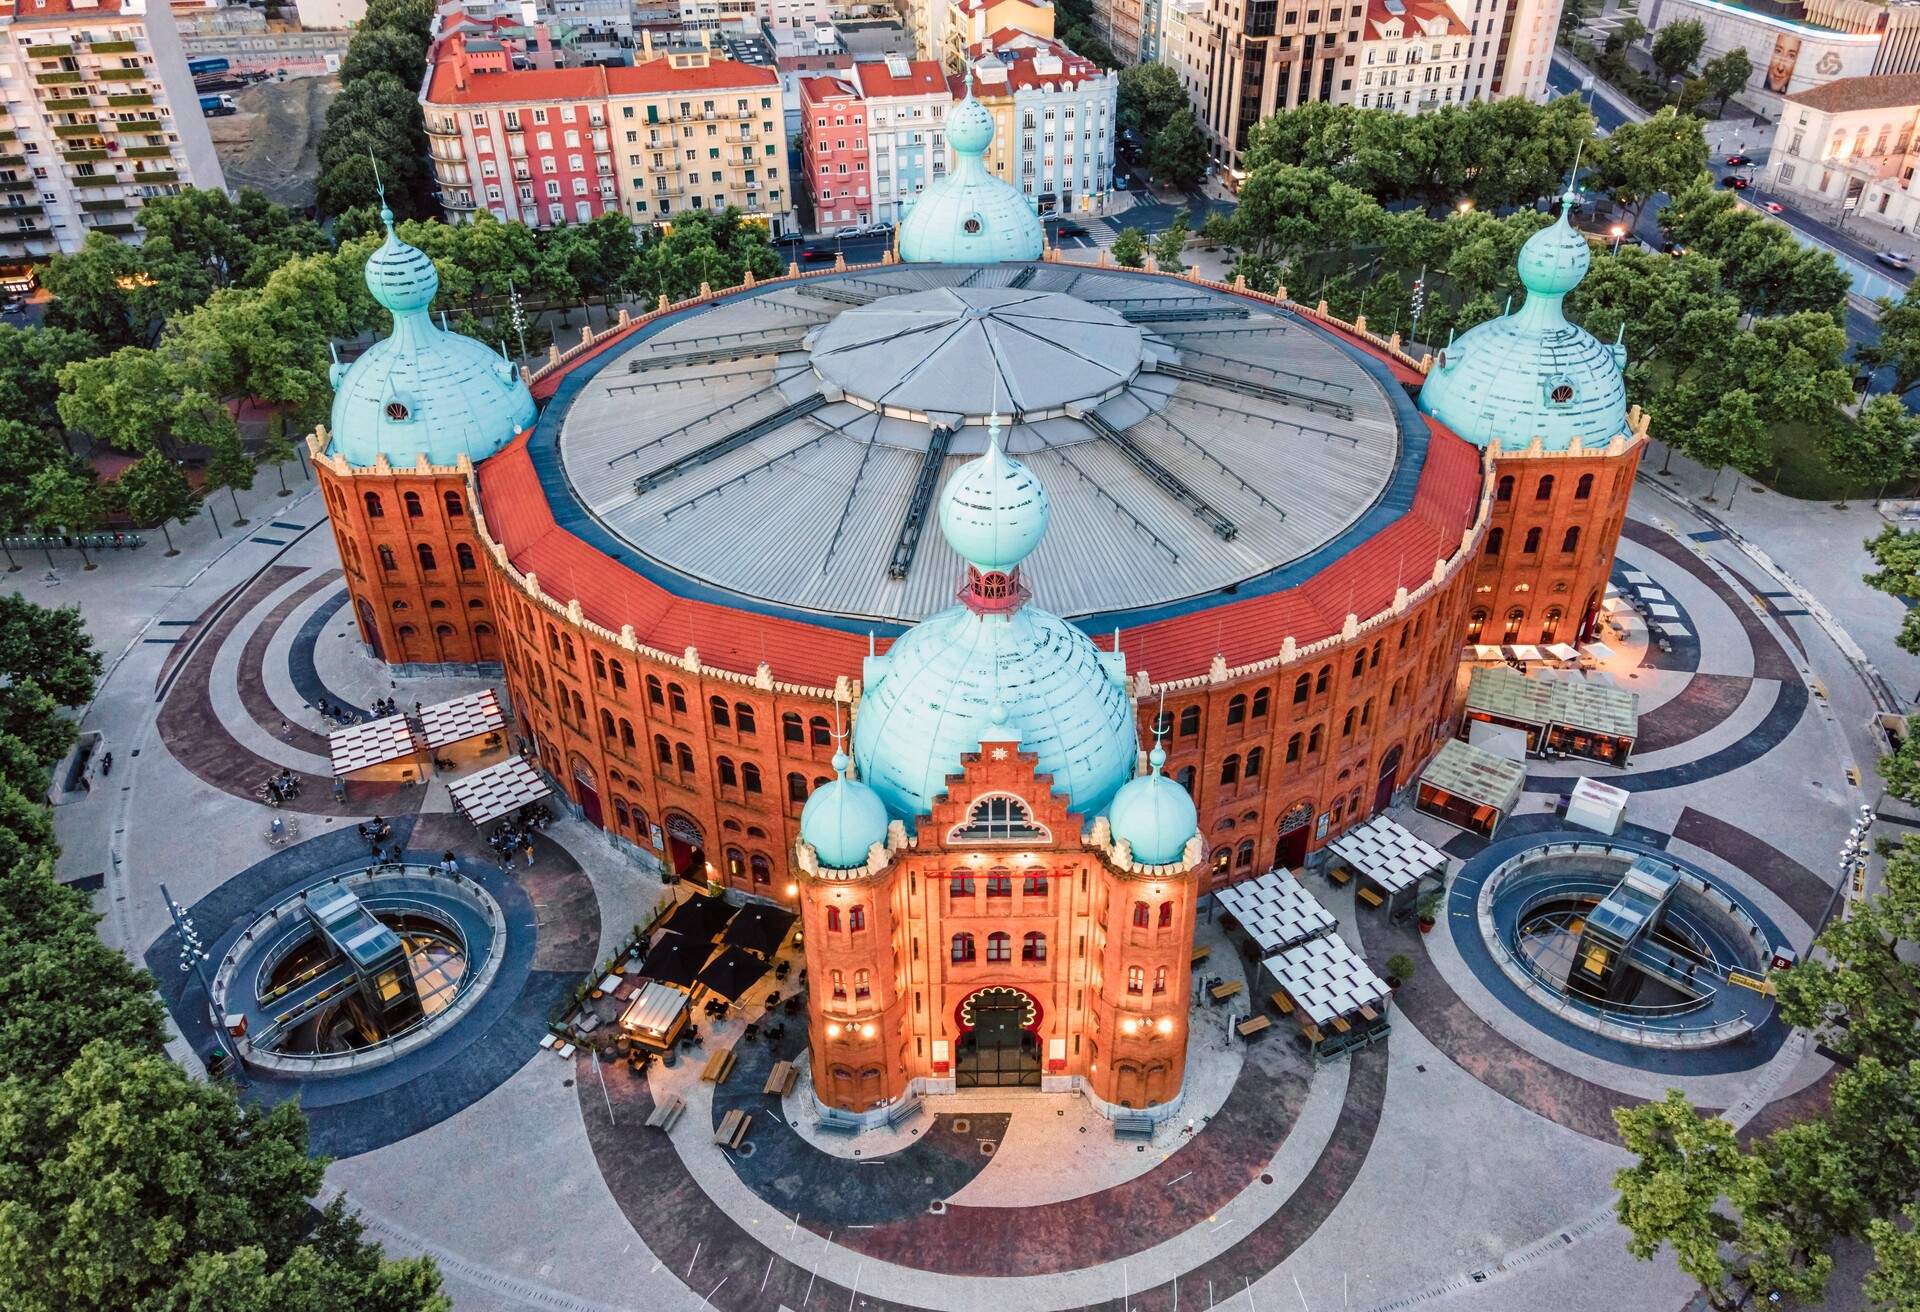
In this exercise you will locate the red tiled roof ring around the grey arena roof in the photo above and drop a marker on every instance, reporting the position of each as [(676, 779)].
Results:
[(1249, 629)]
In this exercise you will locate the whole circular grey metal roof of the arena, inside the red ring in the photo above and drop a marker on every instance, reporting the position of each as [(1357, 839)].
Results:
[(1274, 429)]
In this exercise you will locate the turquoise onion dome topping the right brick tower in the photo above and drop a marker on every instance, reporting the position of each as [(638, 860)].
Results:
[(1531, 374)]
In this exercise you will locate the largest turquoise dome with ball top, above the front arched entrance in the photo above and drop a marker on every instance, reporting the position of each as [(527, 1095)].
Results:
[(994, 668)]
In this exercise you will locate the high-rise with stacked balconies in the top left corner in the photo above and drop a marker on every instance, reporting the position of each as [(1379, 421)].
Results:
[(101, 118)]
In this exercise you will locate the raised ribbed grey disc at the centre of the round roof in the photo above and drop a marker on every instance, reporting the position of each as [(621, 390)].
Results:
[(951, 352)]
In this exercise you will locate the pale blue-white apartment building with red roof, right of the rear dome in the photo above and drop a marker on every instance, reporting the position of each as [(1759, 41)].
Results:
[(1055, 118)]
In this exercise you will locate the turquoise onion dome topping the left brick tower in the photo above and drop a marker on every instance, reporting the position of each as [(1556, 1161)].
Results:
[(423, 391)]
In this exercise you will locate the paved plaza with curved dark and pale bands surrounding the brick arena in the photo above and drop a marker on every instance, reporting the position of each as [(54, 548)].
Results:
[(1464, 1163)]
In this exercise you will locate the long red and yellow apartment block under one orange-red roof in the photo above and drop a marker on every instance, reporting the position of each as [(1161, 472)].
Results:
[(681, 130)]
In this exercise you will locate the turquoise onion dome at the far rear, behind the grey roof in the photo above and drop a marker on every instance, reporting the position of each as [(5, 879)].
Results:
[(971, 216)]
